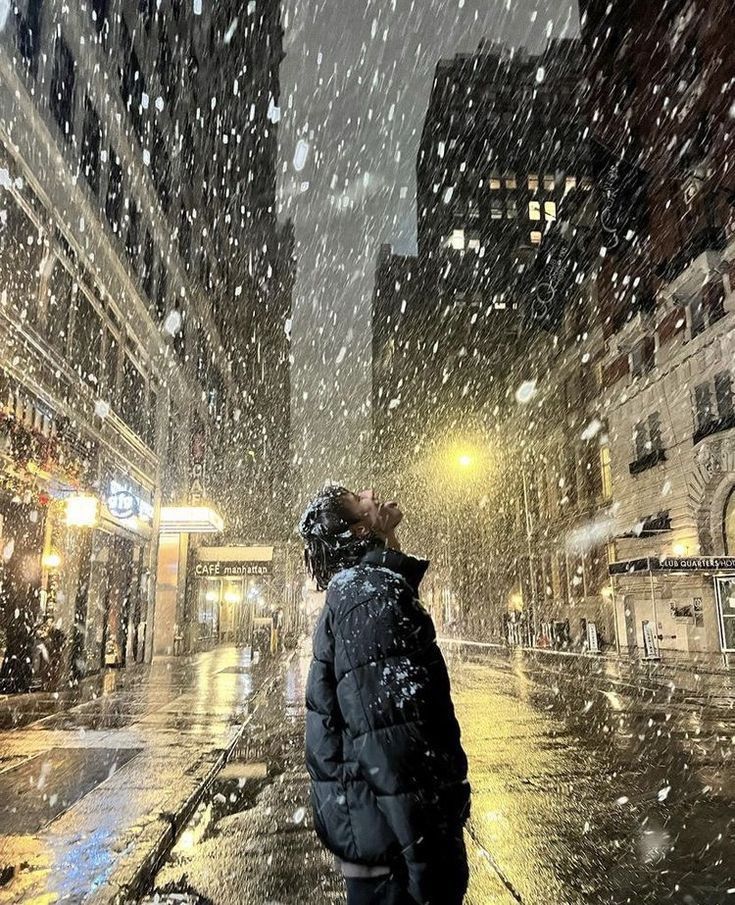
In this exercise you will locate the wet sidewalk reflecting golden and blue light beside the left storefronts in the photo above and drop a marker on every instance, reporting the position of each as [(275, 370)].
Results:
[(90, 797)]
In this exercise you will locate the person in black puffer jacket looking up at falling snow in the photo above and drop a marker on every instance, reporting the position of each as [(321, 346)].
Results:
[(389, 789)]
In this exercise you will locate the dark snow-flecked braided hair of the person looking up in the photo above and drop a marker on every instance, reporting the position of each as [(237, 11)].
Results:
[(329, 542)]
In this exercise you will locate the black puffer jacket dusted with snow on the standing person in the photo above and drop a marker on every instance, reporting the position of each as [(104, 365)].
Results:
[(388, 773)]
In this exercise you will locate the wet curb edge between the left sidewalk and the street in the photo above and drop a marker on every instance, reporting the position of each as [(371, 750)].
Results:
[(132, 881)]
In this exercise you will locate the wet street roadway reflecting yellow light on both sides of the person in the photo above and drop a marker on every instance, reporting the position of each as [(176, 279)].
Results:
[(584, 790)]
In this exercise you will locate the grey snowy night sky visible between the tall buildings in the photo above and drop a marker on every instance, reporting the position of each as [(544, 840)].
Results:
[(355, 86)]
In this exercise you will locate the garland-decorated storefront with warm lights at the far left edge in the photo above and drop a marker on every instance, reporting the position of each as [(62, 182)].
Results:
[(42, 463)]
